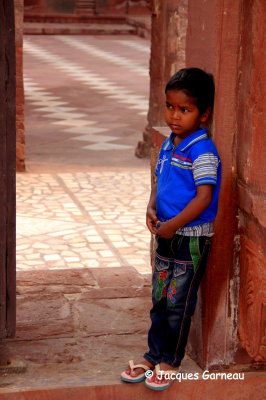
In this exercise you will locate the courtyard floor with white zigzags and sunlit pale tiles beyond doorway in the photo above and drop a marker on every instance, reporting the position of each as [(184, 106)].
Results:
[(82, 201)]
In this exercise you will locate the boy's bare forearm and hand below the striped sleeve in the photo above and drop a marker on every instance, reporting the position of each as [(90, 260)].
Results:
[(194, 208)]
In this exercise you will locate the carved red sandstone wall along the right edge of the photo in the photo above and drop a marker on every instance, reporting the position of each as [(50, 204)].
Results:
[(251, 183)]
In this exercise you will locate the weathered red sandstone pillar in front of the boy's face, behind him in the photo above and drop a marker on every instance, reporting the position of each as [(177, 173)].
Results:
[(168, 33)]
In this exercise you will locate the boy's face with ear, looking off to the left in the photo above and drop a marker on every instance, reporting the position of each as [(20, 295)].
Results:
[(182, 114)]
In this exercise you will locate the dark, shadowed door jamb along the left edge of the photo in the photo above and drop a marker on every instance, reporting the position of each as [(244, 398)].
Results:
[(7, 171)]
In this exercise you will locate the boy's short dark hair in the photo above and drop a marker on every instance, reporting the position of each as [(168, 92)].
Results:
[(195, 83)]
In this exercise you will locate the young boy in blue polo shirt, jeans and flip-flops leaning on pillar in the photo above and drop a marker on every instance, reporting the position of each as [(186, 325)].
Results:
[(181, 210)]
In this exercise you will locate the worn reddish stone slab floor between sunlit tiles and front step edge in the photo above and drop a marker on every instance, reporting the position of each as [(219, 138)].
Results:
[(77, 327)]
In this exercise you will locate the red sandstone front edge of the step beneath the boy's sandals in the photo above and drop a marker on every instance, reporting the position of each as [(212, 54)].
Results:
[(253, 387)]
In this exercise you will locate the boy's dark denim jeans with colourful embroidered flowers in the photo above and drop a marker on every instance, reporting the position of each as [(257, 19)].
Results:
[(180, 264)]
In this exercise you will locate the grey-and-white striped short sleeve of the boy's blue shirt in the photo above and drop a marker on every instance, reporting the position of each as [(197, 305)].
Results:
[(205, 169)]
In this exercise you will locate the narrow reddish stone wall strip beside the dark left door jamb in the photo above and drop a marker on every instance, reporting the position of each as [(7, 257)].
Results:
[(20, 131)]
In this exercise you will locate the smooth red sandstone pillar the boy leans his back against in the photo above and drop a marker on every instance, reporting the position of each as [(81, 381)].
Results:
[(213, 44)]
